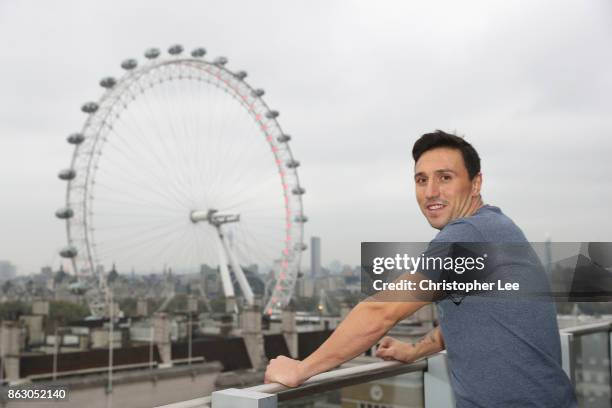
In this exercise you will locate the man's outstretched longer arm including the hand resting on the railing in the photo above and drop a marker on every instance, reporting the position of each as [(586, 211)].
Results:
[(360, 330)]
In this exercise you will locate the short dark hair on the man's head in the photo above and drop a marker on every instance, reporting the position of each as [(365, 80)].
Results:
[(439, 138)]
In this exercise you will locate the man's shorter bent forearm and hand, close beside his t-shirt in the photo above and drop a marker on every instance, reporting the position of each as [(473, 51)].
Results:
[(393, 349)]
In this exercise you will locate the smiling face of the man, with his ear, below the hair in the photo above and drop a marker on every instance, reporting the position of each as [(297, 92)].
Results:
[(444, 190)]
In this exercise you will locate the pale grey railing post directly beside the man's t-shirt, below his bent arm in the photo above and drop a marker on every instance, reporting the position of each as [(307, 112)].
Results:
[(436, 383)]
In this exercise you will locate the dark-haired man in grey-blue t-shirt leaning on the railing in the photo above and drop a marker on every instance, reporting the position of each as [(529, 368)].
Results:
[(501, 353)]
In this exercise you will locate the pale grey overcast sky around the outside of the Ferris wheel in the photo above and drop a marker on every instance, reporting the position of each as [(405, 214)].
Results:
[(528, 83)]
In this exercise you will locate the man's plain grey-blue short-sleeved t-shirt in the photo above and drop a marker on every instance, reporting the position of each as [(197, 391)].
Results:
[(502, 352)]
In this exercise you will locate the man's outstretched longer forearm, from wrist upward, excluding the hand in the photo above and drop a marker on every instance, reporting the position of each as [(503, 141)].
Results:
[(362, 328)]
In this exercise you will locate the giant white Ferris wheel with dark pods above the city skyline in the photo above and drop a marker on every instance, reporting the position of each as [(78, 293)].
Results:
[(181, 163)]
